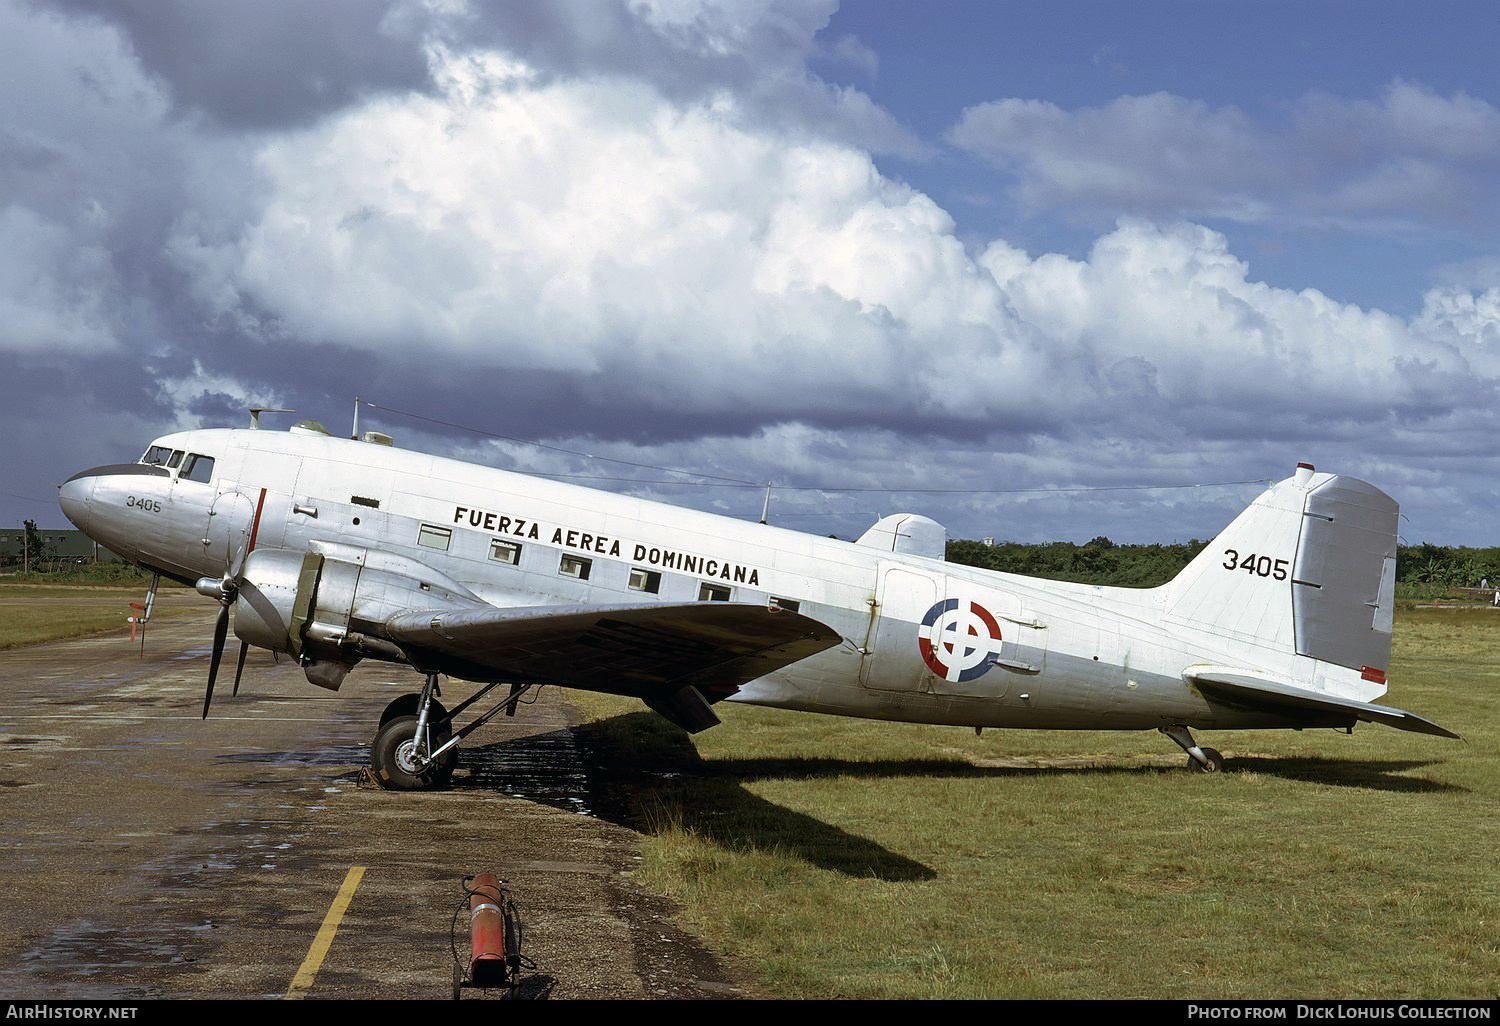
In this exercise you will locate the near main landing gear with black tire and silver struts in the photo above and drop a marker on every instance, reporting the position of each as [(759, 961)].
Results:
[(416, 746)]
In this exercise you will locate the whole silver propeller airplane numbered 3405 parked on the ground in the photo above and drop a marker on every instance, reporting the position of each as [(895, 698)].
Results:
[(341, 550)]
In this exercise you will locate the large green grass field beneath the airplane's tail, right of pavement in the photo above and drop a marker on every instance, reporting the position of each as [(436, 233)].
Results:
[(847, 859)]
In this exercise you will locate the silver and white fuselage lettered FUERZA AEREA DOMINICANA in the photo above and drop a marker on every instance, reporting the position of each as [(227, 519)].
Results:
[(1048, 655)]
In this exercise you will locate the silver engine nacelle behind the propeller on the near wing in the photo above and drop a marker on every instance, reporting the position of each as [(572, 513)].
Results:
[(328, 607)]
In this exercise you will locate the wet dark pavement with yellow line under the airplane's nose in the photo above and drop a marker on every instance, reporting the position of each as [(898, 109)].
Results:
[(149, 854)]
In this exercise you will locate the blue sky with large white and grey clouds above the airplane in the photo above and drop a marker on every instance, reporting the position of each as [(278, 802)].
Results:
[(1007, 265)]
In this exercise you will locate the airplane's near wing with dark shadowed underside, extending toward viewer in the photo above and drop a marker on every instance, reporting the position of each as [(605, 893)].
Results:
[(679, 659)]
